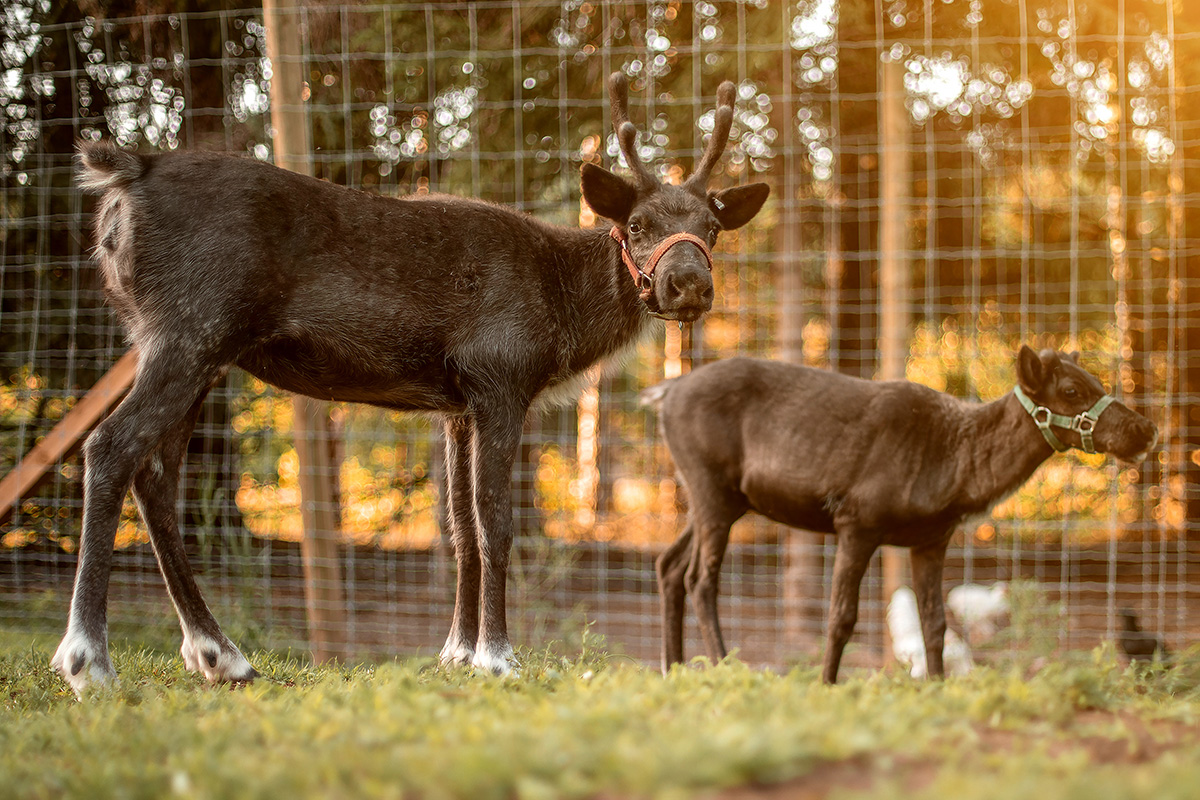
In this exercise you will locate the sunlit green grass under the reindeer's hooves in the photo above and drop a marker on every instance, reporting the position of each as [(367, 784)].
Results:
[(596, 726)]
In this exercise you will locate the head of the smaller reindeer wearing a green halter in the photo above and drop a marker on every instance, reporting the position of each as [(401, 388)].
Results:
[(1072, 408)]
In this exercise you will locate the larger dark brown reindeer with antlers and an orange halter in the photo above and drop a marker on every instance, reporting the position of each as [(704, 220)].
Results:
[(439, 304)]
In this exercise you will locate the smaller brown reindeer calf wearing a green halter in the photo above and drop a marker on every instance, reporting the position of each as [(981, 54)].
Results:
[(873, 462)]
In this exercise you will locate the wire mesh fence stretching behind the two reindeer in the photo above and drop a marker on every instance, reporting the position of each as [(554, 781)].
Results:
[(1047, 148)]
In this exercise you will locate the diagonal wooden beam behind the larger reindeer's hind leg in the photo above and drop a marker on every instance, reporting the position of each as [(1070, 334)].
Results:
[(68, 435)]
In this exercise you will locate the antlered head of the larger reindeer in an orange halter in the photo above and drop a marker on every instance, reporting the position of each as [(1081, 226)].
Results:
[(669, 231)]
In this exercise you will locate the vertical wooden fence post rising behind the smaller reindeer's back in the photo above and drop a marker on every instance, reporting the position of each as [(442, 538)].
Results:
[(896, 183)]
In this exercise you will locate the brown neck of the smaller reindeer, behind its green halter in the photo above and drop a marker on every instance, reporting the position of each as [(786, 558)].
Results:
[(1005, 449)]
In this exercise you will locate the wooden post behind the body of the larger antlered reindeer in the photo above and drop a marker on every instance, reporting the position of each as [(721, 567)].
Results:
[(315, 440)]
